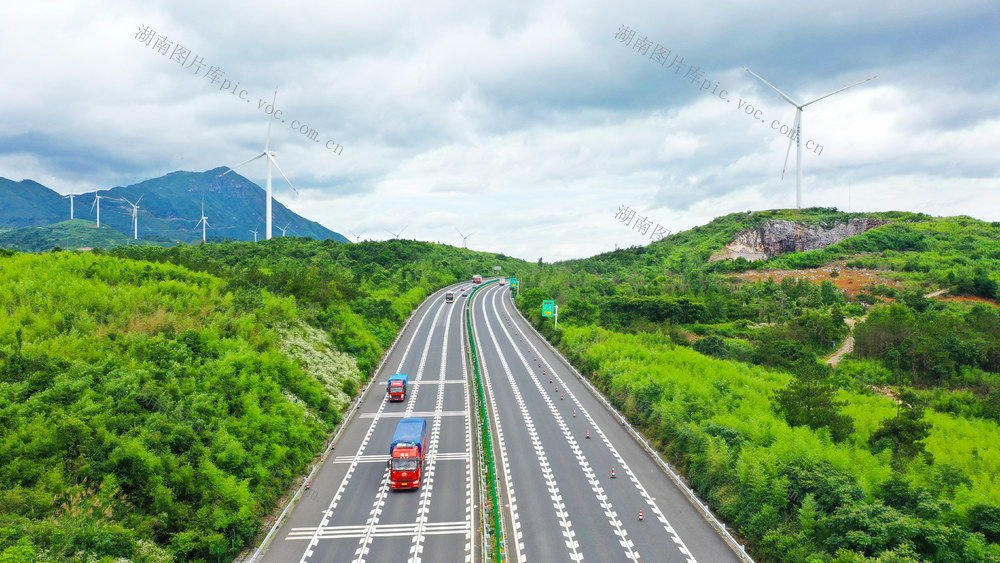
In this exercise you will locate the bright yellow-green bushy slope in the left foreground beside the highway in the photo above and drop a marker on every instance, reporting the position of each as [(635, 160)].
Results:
[(147, 412)]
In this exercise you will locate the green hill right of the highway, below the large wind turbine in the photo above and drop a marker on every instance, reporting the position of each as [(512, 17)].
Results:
[(814, 446)]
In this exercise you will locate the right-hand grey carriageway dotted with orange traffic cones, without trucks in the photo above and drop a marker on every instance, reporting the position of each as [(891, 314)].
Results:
[(561, 501)]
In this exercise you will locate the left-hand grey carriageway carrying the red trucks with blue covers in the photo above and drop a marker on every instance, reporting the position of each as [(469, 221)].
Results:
[(349, 513)]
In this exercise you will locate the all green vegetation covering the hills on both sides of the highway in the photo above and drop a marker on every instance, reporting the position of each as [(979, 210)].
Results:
[(157, 402)]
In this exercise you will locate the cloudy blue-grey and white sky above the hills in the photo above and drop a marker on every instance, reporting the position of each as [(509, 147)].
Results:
[(529, 124)]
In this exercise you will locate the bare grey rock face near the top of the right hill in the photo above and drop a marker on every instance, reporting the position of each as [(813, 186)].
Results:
[(777, 237)]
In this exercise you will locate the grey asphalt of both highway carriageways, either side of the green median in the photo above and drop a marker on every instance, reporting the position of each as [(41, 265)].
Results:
[(560, 501)]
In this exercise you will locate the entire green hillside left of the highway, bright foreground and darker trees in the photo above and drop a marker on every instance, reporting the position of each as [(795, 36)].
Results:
[(157, 402)]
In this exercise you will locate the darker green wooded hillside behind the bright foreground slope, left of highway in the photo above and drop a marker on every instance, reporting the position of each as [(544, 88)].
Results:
[(360, 293)]
